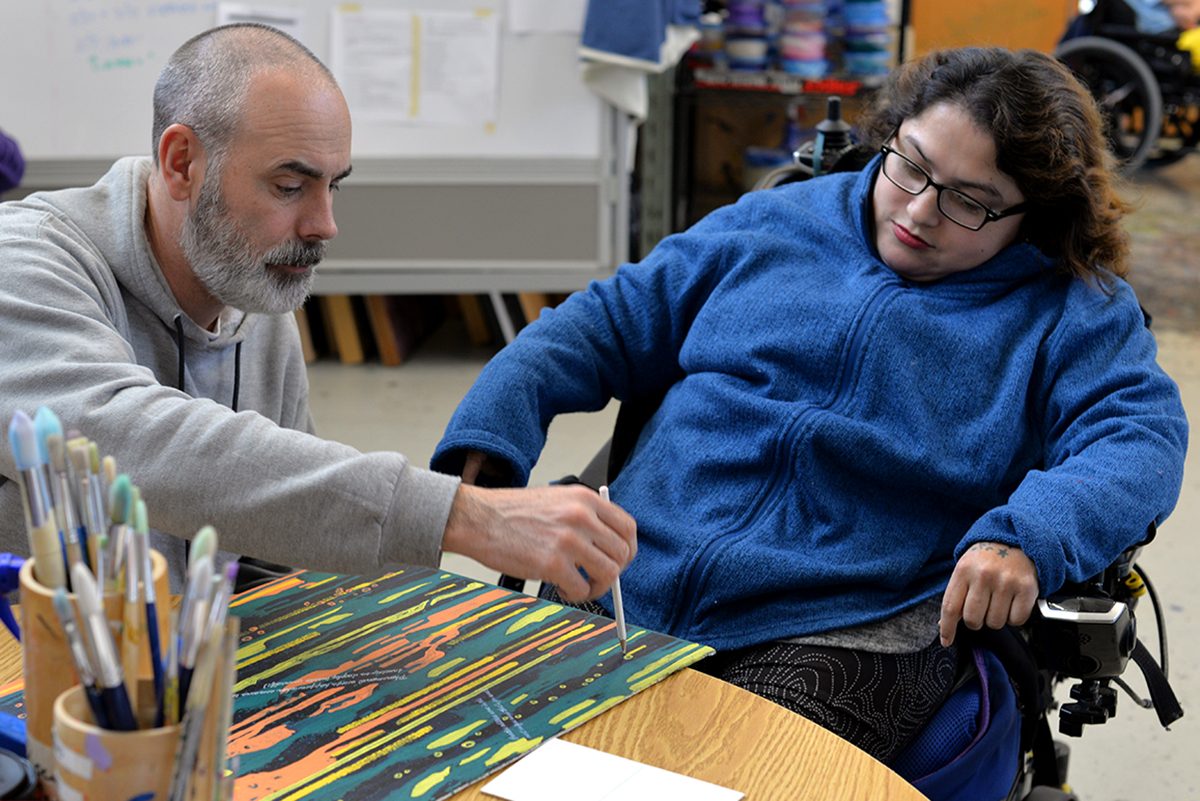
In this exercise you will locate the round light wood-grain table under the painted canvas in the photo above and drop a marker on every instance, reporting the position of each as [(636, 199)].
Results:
[(701, 727)]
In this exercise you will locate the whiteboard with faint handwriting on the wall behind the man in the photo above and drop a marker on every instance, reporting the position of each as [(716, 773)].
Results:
[(79, 81)]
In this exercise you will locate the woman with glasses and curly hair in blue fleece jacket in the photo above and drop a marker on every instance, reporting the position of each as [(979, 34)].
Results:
[(895, 400)]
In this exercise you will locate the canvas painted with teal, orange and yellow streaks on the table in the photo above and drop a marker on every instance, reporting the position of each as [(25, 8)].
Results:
[(417, 683)]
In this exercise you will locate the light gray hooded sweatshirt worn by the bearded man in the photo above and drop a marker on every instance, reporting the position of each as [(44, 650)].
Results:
[(88, 326)]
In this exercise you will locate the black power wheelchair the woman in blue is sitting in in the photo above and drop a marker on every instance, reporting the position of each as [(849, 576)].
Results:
[(992, 740)]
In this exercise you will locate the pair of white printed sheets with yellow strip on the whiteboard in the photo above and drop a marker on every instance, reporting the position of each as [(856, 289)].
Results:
[(423, 68)]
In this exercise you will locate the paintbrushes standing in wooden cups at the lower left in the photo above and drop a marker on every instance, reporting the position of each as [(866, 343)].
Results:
[(91, 599)]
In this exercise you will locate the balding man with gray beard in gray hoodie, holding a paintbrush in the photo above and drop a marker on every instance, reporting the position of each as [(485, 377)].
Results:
[(152, 311)]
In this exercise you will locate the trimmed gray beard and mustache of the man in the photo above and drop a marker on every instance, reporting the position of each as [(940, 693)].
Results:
[(225, 262)]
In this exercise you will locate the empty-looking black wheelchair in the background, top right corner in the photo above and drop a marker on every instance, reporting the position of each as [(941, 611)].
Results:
[(1148, 87)]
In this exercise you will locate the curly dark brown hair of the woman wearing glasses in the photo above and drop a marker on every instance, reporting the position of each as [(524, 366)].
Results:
[(1049, 138)]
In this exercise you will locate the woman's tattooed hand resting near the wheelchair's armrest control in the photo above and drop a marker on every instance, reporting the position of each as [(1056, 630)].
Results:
[(993, 585)]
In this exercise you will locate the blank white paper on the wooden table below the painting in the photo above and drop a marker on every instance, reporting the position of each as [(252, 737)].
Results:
[(561, 770)]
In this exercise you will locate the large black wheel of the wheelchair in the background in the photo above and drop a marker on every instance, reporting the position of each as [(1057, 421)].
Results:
[(1126, 91)]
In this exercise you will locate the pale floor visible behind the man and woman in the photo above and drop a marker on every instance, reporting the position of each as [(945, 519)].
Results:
[(1127, 760)]
